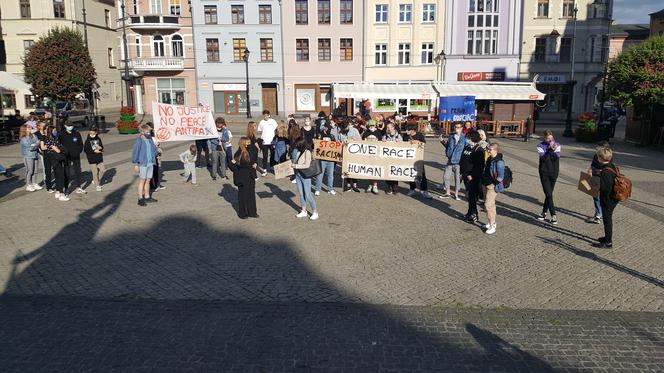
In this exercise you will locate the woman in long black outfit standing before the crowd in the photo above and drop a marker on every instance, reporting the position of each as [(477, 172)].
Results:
[(244, 178)]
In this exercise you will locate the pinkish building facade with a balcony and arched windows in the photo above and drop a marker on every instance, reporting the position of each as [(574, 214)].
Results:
[(160, 52)]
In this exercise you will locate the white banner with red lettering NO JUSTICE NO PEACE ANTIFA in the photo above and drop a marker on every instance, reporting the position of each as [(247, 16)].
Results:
[(183, 123)]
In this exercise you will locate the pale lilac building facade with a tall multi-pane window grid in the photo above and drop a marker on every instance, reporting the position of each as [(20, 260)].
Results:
[(482, 40)]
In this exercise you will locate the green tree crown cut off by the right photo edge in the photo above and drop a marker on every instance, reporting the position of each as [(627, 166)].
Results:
[(636, 76)]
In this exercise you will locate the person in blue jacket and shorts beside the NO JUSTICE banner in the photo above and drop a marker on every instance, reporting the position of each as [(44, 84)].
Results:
[(143, 158)]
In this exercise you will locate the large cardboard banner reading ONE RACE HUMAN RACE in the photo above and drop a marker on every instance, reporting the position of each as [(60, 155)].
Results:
[(376, 160)]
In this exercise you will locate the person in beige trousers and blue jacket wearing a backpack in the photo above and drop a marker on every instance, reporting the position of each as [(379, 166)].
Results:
[(492, 179)]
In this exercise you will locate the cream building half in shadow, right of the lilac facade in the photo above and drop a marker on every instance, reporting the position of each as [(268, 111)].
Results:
[(554, 34)]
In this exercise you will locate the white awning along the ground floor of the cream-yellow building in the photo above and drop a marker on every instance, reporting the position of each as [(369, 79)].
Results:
[(389, 91)]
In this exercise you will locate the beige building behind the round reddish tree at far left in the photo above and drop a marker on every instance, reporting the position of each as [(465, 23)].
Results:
[(25, 21)]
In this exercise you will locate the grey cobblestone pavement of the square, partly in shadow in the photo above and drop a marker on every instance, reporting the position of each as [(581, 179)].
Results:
[(370, 264)]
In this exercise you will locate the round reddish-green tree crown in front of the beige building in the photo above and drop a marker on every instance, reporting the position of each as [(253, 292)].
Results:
[(59, 66)]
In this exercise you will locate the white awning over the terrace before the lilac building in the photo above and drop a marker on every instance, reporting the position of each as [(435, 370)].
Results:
[(491, 91)]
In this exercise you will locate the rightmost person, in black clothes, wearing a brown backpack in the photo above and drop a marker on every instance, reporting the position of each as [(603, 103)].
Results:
[(607, 181)]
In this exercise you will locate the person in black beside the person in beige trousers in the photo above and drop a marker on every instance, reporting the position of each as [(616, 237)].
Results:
[(472, 165)]
